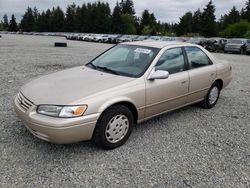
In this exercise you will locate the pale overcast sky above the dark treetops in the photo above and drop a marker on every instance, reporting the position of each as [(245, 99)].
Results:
[(164, 10)]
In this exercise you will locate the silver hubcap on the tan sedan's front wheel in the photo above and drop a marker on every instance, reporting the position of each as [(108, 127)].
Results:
[(117, 128)]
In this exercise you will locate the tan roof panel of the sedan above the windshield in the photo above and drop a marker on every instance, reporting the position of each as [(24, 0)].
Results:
[(158, 44)]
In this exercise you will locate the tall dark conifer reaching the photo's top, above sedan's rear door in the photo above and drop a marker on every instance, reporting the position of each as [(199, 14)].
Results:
[(208, 21)]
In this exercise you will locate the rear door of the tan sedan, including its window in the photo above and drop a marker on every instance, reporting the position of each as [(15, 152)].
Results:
[(202, 73)]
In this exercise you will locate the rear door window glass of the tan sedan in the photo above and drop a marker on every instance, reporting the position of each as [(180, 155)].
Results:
[(196, 57)]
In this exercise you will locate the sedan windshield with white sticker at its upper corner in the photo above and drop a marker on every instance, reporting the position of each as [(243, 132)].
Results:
[(125, 60)]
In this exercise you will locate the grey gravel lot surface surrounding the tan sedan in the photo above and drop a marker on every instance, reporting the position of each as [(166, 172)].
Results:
[(191, 147)]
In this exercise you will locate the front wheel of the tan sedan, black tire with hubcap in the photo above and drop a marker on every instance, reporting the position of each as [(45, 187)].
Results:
[(108, 133)]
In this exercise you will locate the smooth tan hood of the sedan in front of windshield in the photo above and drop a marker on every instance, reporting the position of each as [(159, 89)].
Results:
[(65, 87)]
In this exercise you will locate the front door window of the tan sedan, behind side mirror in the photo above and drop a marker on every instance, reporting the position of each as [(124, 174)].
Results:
[(172, 61)]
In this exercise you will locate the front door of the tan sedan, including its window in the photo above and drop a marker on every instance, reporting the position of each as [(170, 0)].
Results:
[(166, 94)]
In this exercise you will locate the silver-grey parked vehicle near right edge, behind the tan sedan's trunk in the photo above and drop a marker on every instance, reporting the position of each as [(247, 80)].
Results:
[(236, 46)]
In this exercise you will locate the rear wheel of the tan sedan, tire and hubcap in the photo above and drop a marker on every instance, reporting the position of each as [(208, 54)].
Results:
[(212, 96)]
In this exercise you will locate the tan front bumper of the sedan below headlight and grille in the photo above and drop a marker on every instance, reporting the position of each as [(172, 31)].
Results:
[(57, 130)]
